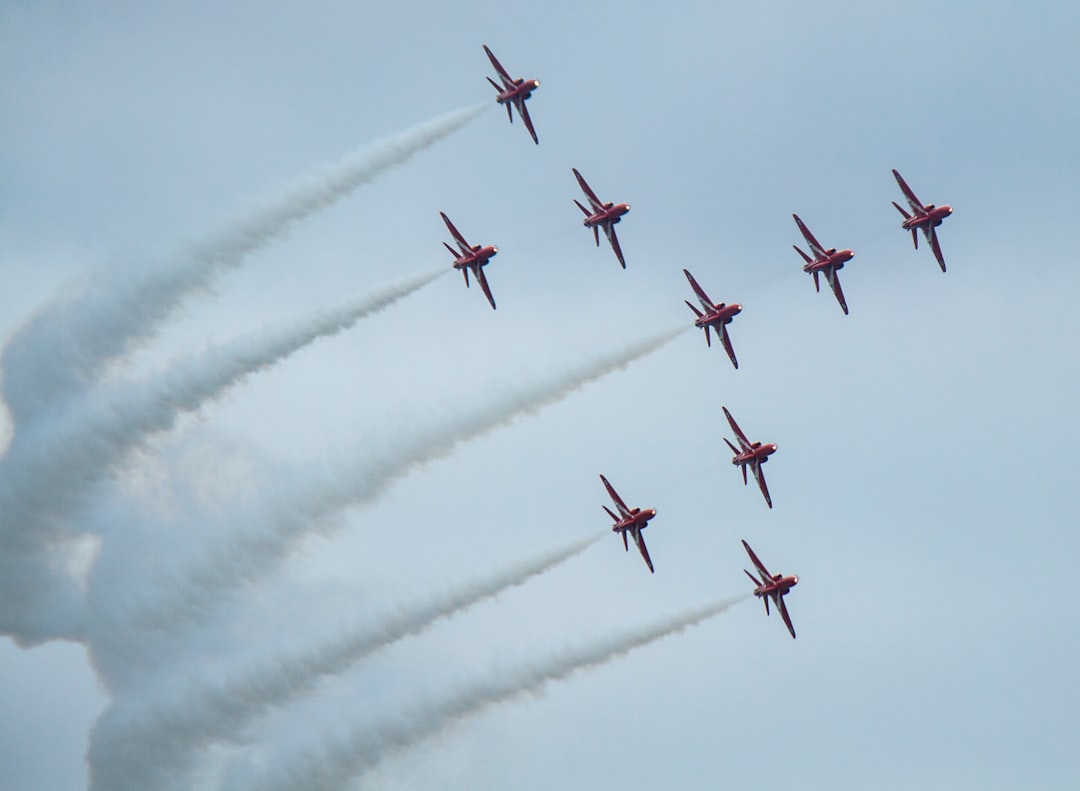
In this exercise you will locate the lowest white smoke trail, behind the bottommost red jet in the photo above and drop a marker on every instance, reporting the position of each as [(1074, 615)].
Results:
[(336, 766)]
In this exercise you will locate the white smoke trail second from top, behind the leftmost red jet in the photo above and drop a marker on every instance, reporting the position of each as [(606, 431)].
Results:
[(50, 471)]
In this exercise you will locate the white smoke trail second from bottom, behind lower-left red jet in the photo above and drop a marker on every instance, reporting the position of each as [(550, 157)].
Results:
[(169, 740)]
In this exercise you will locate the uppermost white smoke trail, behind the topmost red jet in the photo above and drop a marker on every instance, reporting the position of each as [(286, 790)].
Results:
[(66, 344)]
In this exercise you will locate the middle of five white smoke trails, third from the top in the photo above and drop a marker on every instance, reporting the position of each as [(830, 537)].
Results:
[(293, 516)]
